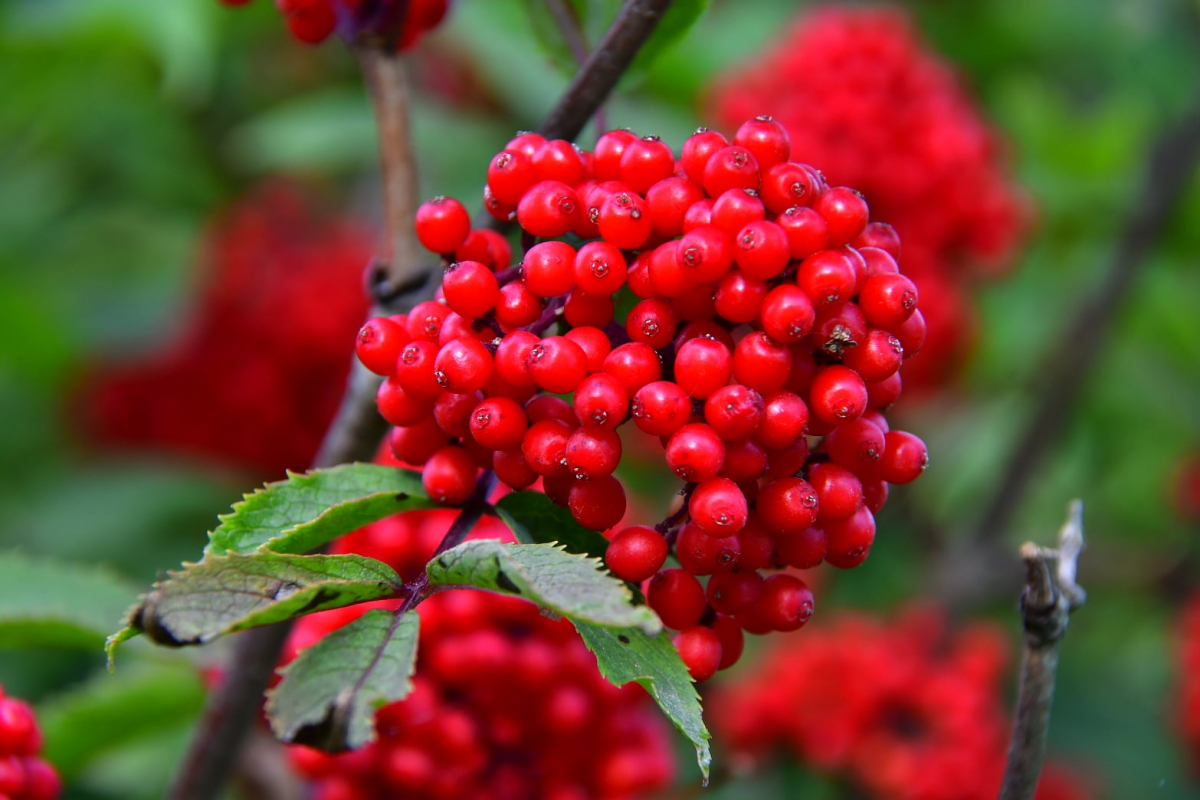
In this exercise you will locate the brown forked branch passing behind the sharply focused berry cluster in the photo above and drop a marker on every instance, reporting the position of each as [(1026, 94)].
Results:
[(357, 430)]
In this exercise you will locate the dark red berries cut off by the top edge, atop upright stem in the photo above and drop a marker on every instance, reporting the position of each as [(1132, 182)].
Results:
[(313, 21)]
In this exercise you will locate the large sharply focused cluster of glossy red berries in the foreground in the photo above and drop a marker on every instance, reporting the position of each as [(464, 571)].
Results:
[(770, 321)]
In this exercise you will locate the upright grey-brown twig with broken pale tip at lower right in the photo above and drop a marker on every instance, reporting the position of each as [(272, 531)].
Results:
[(1051, 597)]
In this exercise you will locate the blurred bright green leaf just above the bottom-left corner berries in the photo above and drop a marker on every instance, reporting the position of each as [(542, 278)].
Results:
[(110, 712)]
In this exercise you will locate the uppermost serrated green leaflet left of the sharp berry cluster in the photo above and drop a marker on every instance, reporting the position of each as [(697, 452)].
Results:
[(307, 512)]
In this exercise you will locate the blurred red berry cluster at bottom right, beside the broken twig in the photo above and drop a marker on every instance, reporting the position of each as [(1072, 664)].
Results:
[(905, 708)]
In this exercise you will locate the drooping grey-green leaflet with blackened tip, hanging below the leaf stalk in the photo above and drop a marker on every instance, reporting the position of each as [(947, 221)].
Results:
[(331, 693)]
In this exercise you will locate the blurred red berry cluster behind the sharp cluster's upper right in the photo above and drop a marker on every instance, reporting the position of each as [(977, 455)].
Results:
[(862, 95)]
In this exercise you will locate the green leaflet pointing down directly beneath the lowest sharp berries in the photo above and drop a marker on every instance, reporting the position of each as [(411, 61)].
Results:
[(653, 663)]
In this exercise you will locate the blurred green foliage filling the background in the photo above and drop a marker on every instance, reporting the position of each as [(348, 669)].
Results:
[(128, 124)]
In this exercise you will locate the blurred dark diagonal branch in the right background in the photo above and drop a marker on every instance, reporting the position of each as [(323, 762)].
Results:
[(976, 566)]
